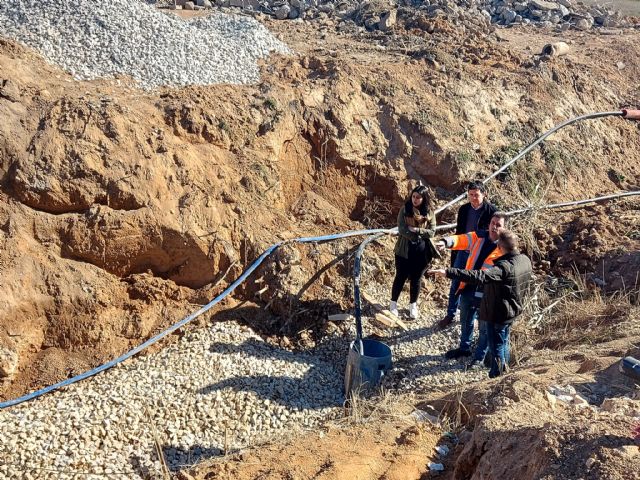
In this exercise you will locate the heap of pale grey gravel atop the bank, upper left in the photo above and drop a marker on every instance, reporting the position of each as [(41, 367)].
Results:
[(96, 38)]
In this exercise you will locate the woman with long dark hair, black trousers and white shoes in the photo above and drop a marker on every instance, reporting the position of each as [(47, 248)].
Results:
[(413, 250)]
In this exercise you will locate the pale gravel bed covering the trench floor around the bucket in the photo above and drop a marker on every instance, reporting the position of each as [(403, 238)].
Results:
[(216, 389)]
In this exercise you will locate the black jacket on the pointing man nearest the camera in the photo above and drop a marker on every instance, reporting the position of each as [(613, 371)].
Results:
[(505, 285)]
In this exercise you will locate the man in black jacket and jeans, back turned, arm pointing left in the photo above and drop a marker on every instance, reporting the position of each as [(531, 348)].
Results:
[(505, 285)]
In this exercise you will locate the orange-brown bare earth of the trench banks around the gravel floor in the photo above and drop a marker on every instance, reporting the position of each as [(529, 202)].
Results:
[(121, 211)]
